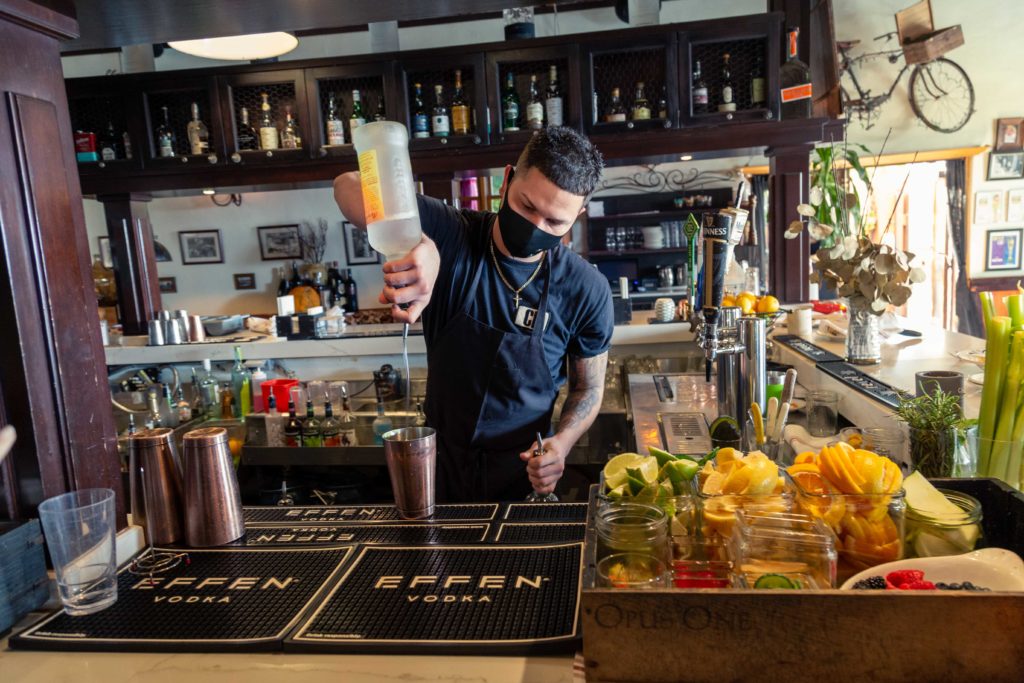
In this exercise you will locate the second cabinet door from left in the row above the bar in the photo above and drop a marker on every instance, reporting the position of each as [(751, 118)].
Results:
[(177, 96)]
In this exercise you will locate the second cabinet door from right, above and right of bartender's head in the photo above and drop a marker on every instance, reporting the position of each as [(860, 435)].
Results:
[(651, 62)]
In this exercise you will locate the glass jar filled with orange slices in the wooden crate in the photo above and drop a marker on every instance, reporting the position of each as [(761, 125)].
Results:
[(870, 528)]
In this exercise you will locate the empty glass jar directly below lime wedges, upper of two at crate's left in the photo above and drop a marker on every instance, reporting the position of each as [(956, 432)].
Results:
[(633, 528)]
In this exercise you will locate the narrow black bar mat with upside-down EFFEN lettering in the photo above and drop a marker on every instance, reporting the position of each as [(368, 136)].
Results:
[(396, 535)]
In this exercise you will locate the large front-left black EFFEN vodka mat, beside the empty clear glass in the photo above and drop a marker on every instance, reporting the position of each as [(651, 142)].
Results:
[(223, 601)]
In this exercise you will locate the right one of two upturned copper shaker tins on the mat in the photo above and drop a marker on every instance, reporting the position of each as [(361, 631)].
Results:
[(214, 505)]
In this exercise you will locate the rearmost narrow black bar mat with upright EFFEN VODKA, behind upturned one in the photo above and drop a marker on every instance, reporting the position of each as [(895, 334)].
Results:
[(358, 515)]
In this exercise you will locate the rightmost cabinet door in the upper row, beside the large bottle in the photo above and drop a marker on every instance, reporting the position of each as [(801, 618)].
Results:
[(753, 45)]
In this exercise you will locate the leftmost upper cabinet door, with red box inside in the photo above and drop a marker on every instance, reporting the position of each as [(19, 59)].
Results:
[(96, 105)]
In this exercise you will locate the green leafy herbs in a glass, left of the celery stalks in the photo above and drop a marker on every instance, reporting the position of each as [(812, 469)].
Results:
[(934, 421)]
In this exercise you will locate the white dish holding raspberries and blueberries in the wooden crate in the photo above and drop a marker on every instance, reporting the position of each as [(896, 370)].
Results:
[(996, 569)]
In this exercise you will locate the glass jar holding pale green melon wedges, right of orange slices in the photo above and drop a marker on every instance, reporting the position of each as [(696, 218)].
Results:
[(937, 534)]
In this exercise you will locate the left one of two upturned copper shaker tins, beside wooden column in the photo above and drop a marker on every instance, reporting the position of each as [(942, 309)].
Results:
[(156, 486)]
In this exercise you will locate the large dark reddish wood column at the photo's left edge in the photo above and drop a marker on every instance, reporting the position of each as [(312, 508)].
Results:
[(53, 372)]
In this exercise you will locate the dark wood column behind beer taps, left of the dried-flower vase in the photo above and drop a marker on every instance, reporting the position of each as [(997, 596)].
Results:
[(788, 182)]
